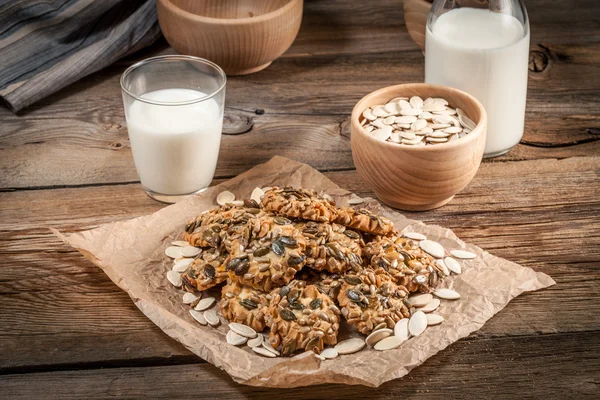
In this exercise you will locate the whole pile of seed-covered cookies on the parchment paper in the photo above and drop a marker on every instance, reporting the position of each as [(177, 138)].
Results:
[(297, 264)]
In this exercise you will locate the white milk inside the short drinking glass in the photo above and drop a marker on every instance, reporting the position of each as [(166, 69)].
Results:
[(175, 148)]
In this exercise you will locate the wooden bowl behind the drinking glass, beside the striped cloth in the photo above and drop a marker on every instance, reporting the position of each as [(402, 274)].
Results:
[(241, 36)]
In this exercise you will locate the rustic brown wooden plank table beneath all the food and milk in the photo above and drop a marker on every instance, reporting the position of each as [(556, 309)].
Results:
[(67, 331)]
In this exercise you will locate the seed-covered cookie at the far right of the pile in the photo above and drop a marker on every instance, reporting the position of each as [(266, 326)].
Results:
[(405, 262)]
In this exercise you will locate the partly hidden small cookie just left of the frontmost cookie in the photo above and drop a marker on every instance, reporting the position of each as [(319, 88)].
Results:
[(244, 305)]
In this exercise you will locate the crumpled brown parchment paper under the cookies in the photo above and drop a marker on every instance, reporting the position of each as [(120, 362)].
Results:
[(131, 253)]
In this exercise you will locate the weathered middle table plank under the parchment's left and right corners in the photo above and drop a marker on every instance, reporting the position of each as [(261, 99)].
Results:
[(52, 298)]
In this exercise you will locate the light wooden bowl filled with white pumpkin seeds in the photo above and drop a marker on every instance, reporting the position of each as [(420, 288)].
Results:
[(418, 178)]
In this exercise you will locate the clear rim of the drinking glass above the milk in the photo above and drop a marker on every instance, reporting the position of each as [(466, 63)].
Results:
[(173, 57)]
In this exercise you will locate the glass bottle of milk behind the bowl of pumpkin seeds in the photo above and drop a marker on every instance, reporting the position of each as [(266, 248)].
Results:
[(482, 47)]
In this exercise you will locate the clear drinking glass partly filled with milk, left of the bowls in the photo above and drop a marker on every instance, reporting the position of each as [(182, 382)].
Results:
[(174, 110)]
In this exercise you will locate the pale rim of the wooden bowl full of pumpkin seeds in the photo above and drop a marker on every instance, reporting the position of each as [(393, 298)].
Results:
[(395, 89)]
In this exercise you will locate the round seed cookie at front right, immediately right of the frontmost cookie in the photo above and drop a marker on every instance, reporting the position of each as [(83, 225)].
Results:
[(370, 300)]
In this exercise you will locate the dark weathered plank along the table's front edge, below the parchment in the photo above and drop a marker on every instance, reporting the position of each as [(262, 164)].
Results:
[(526, 367)]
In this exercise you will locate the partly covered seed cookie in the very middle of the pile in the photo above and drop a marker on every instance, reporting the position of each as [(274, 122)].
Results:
[(331, 247)]
